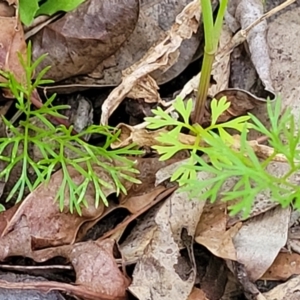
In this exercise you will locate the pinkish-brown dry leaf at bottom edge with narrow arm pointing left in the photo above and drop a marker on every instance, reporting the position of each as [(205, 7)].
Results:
[(95, 267)]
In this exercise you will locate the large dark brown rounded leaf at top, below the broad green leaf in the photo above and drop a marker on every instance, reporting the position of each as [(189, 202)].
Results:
[(83, 38)]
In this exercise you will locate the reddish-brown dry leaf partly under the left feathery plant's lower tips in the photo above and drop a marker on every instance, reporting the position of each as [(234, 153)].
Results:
[(47, 225)]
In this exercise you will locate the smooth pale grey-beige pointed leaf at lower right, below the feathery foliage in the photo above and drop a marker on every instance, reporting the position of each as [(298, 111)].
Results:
[(260, 239)]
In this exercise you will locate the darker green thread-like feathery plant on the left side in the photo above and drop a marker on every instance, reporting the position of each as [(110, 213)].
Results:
[(58, 147)]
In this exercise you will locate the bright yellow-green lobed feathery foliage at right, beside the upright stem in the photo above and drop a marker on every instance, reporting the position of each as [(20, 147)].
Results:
[(225, 161)]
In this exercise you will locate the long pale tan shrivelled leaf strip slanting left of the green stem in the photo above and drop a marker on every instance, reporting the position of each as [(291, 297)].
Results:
[(187, 23)]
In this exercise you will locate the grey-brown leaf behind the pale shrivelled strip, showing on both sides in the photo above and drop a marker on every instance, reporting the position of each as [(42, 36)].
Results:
[(155, 19)]
